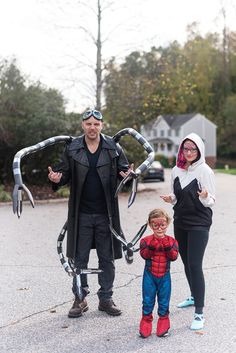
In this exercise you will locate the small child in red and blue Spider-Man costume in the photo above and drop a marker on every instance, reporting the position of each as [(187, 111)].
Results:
[(158, 250)]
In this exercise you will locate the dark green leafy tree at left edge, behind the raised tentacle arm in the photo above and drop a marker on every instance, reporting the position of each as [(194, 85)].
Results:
[(28, 115)]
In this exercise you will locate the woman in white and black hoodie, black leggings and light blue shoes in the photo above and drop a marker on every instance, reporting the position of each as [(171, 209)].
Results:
[(193, 186)]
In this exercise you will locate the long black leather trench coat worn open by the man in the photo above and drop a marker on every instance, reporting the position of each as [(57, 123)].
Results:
[(74, 168)]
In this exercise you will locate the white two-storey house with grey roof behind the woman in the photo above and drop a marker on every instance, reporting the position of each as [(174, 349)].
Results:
[(166, 132)]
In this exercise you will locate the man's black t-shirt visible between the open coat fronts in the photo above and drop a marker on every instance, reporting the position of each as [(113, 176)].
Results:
[(93, 197)]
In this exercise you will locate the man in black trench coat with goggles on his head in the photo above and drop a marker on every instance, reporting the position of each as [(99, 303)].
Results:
[(91, 165)]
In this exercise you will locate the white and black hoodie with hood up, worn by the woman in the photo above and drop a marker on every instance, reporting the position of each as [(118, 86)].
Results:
[(190, 210)]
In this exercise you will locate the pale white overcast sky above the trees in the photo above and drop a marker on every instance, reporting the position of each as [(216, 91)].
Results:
[(45, 38)]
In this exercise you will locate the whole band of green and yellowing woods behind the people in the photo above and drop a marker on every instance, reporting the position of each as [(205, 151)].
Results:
[(199, 76)]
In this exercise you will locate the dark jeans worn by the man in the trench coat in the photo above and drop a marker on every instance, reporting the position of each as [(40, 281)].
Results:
[(94, 229)]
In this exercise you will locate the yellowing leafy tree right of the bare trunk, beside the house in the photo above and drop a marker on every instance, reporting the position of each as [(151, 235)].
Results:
[(148, 84)]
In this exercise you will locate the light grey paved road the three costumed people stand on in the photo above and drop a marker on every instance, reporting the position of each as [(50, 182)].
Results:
[(35, 291)]
